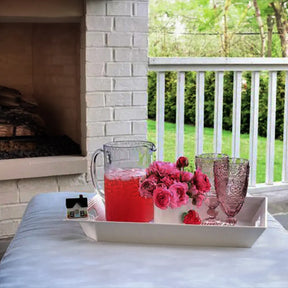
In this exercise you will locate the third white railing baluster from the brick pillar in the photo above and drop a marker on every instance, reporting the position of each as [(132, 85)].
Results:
[(200, 82)]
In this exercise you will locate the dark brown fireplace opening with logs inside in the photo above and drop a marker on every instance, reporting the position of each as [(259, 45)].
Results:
[(39, 89)]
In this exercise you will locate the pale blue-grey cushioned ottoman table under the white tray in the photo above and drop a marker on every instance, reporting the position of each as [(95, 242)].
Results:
[(49, 252)]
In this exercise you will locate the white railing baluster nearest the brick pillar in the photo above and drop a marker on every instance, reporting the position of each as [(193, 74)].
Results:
[(160, 115)]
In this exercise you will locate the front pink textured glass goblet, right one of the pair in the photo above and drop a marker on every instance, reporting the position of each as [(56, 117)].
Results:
[(231, 187)]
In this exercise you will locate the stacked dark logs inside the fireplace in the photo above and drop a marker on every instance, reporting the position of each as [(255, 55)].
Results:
[(18, 116)]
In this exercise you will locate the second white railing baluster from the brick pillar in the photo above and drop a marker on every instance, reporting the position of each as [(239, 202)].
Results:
[(180, 114)]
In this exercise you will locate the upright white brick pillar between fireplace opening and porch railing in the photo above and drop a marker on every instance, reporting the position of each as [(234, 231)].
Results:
[(123, 79)]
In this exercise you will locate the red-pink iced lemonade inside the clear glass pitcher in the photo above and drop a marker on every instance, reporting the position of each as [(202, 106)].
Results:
[(122, 198)]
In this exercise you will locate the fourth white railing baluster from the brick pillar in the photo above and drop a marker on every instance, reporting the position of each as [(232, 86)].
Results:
[(218, 111)]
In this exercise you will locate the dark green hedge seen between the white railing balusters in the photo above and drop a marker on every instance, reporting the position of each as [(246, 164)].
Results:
[(190, 100)]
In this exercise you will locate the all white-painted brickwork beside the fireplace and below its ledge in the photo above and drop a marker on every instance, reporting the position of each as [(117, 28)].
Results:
[(114, 88)]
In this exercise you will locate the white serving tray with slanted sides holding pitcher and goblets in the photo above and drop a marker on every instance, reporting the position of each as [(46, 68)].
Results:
[(252, 221)]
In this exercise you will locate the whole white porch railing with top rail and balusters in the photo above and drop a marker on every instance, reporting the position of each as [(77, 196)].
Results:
[(219, 66)]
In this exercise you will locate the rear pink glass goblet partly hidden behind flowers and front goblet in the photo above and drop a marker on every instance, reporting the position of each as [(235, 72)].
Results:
[(205, 162)]
